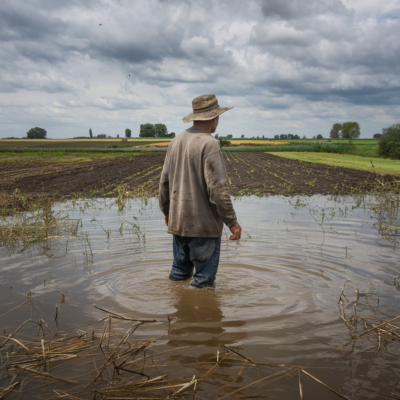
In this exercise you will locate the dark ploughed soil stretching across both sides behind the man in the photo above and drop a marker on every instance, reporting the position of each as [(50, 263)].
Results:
[(248, 173)]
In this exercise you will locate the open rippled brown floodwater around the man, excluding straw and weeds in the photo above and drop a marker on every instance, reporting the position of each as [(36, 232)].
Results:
[(275, 298)]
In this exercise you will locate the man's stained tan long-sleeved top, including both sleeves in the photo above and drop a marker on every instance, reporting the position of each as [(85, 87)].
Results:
[(193, 187)]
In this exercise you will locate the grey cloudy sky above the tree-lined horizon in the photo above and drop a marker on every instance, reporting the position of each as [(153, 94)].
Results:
[(292, 66)]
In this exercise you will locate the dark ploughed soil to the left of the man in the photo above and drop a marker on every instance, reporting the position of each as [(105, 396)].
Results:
[(96, 177)]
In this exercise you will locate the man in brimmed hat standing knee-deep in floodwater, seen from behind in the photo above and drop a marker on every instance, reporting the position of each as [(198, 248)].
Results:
[(194, 196)]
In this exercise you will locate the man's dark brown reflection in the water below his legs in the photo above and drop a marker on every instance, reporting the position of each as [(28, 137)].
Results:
[(198, 318)]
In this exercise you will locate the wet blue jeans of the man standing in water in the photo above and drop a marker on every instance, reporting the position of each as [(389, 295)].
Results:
[(200, 254)]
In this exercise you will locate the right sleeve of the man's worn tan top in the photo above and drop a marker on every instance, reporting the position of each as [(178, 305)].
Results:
[(217, 186)]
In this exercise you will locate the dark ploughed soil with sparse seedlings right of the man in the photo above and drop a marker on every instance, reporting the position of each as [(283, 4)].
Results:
[(259, 173)]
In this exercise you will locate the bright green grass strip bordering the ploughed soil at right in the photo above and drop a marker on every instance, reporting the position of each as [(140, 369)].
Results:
[(378, 165)]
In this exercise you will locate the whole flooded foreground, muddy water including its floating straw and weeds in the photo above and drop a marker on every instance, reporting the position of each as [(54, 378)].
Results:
[(276, 301)]
